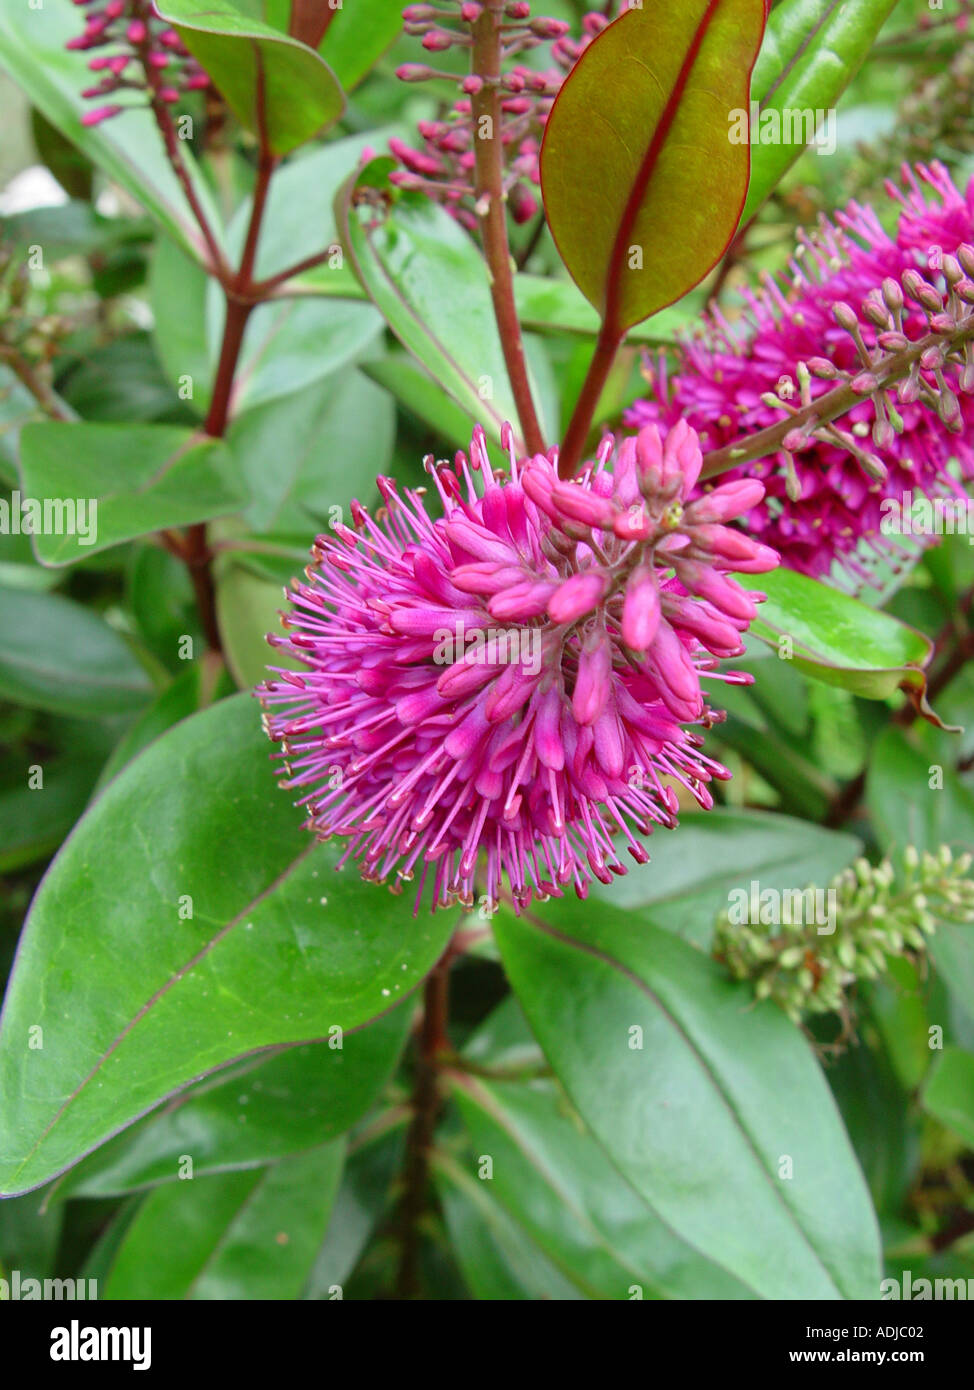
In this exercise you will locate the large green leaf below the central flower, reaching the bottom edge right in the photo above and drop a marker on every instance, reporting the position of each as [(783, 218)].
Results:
[(722, 1120)]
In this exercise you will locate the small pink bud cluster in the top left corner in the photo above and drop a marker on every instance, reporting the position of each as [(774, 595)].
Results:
[(147, 55)]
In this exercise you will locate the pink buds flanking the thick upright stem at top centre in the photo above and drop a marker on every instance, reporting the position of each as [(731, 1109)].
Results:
[(444, 165)]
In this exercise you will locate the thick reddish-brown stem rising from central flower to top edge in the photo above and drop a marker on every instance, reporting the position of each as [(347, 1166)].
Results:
[(491, 206)]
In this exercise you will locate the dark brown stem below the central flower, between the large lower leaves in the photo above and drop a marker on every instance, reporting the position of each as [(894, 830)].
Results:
[(433, 1046)]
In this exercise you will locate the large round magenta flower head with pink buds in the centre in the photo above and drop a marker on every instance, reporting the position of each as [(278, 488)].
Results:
[(504, 690)]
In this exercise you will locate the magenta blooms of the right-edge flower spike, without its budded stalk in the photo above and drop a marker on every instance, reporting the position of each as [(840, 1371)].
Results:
[(820, 504)]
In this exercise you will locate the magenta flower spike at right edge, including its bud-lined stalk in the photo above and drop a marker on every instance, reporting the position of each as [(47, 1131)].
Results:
[(857, 302)]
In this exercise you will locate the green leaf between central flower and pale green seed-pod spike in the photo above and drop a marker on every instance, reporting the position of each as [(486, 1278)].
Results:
[(693, 869)]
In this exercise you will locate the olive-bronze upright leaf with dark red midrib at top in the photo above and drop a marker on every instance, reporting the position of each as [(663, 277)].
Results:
[(637, 145)]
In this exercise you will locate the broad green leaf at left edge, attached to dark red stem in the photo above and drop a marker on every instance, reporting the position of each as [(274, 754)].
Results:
[(123, 482)]
